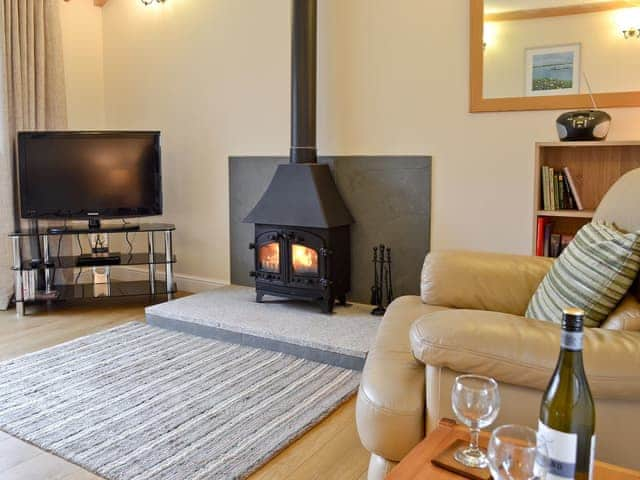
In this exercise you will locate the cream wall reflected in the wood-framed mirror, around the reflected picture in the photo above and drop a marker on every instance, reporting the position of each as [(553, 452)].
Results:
[(611, 62)]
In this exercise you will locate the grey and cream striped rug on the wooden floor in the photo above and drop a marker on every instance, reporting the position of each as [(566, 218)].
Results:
[(139, 402)]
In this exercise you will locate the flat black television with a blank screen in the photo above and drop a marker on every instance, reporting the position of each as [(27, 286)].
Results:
[(80, 175)]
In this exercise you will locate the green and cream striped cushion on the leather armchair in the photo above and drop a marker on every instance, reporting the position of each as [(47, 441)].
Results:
[(594, 272)]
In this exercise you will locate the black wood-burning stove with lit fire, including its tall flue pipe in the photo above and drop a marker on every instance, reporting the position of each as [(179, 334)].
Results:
[(302, 238)]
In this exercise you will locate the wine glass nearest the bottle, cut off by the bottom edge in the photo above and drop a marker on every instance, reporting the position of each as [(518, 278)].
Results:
[(517, 453)]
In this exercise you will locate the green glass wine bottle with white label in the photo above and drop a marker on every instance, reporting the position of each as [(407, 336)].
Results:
[(567, 414)]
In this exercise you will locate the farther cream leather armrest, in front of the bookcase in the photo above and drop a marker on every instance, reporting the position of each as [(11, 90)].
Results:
[(482, 281)]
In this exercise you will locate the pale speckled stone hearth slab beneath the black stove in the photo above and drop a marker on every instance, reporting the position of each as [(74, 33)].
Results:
[(298, 328)]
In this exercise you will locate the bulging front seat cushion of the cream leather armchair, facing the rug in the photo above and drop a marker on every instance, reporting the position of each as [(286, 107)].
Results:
[(390, 411)]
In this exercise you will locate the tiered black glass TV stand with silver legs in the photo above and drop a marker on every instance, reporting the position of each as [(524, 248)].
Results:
[(83, 291)]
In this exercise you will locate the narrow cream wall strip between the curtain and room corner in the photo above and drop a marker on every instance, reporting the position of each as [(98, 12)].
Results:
[(83, 63)]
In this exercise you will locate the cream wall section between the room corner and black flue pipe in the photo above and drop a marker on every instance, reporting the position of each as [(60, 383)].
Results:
[(214, 77)]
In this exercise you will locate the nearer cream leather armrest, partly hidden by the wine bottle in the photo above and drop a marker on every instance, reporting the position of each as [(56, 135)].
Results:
[(524, 352)]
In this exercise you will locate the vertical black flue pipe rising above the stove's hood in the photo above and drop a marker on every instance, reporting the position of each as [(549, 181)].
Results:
[(303, 81)]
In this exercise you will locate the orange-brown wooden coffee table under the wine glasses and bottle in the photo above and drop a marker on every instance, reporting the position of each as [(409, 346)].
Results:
[(417, 464)]
